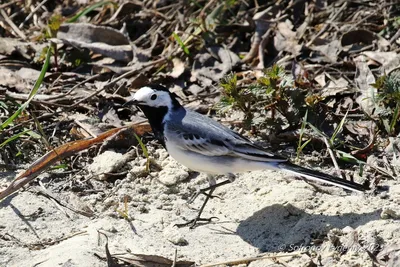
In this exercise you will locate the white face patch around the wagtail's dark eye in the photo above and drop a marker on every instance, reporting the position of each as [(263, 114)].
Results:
[(145, 96)]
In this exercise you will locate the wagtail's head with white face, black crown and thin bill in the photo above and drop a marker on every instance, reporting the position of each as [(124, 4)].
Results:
[(154, 96)]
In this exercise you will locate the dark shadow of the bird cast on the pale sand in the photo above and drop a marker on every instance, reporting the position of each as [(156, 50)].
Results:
[(279, 227)]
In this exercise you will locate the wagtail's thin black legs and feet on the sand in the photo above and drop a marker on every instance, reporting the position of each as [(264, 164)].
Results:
[(208, 195)]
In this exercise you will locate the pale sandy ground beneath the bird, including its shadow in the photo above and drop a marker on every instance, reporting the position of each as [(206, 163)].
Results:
[(261, 212)]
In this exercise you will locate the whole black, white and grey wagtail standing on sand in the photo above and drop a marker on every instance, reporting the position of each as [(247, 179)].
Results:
[(204, 145)]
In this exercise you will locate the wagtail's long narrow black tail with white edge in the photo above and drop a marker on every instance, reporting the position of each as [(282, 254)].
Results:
[(321, 177)]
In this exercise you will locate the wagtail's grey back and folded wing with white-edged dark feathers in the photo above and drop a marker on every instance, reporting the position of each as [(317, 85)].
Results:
[(200, 134)]
